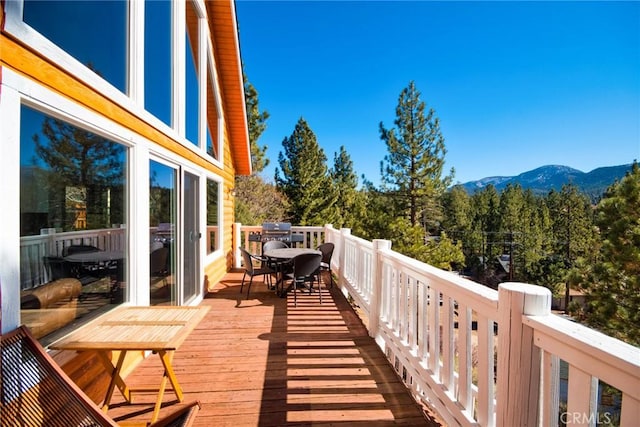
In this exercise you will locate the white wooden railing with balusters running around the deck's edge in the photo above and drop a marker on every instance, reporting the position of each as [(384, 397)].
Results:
[(480, 357)]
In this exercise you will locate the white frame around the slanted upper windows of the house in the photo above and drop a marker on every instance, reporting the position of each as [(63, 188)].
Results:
[(133, 101)]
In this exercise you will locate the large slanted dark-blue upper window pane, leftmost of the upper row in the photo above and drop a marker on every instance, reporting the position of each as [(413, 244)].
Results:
[(78, 28)]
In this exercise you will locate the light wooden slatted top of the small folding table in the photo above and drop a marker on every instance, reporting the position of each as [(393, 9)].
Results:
[(135, 328)]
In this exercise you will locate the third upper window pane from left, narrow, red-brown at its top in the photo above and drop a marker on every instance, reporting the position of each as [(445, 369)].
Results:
[(191, 61)]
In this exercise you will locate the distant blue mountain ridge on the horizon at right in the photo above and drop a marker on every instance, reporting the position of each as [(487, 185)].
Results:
[(553, 177)]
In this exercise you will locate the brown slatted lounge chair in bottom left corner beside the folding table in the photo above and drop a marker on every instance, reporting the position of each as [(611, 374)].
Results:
[(35, 391)]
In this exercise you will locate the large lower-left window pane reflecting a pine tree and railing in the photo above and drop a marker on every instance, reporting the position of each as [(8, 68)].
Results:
[(72, 223)]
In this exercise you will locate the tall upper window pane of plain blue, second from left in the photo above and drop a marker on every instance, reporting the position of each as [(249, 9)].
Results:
[(157, 59)]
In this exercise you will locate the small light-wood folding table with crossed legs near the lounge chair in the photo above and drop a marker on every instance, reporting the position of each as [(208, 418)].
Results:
[(160, 330)]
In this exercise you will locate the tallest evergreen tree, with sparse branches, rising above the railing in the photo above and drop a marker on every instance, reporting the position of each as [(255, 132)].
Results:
[(413, 168)]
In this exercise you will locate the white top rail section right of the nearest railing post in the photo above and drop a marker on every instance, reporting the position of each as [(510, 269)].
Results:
[(607, 358)]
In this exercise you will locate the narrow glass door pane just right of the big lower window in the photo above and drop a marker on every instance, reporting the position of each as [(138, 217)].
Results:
[(163, 203)]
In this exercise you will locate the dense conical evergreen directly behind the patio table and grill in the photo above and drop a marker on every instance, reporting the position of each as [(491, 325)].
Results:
[(303, 177)]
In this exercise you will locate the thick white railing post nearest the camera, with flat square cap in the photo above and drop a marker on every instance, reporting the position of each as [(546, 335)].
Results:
[(518, 383)]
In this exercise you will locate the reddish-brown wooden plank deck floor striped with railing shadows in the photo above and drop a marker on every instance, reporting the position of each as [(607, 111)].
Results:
[(264, 362)]
